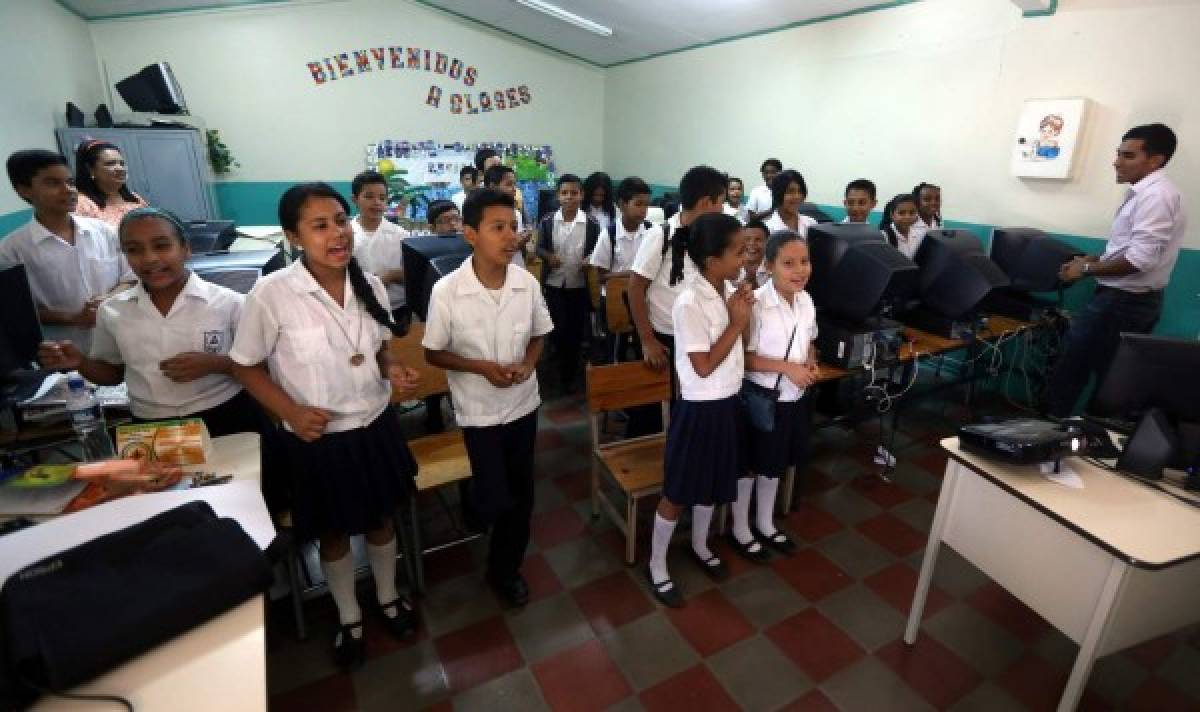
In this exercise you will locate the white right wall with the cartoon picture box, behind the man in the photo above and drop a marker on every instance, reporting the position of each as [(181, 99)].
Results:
[(923, 92)]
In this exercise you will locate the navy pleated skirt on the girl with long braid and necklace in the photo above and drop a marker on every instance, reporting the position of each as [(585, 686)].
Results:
[(350, 482)]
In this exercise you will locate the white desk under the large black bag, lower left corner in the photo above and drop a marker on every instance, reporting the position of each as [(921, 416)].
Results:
[(219, 666)]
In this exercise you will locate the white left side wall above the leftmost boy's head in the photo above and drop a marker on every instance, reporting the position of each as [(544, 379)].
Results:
[(50, 61)]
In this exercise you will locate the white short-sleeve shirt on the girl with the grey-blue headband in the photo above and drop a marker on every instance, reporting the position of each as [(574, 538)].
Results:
[(131, 331)]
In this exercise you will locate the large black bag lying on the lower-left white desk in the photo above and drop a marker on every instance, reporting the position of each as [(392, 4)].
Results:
[(81, 613)]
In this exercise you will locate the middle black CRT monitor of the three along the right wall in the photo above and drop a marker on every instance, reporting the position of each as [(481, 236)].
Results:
[(956, 274)]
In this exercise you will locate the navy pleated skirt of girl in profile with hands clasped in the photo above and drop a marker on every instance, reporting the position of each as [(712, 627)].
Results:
[(705, 453)]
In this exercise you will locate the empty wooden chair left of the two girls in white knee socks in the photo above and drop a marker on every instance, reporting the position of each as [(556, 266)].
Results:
[(634, 466)]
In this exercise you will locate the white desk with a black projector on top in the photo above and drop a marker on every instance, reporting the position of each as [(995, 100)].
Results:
[(1112, 565)]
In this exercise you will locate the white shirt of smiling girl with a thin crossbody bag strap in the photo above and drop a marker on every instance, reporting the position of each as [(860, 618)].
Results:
[(771, 331)]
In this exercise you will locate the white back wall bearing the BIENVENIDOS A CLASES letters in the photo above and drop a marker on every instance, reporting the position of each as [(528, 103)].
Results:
[(244, 71)]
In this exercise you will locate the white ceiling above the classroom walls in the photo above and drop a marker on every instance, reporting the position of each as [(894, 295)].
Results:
[(641, 28)]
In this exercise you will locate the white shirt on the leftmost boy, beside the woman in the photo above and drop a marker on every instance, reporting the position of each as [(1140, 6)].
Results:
[(64, 277)]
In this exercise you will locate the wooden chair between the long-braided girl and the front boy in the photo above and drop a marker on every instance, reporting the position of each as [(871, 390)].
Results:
[(441, 458)]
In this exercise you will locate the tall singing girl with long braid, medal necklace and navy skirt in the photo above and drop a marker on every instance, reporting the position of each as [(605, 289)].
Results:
[(322, 327)]
